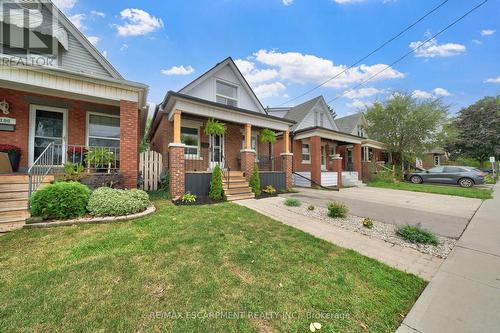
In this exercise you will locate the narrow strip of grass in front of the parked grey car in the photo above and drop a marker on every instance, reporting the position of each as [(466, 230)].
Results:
[(472, 192)]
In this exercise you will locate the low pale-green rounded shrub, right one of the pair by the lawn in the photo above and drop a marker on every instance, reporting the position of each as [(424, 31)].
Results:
[(106, 201)]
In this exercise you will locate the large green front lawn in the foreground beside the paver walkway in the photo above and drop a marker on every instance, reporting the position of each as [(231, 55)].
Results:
[(110, 278)]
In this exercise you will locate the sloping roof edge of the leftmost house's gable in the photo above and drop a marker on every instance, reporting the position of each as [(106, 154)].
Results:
[(68, 25)]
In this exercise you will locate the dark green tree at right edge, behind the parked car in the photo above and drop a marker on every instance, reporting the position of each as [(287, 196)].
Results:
[(478, 130)]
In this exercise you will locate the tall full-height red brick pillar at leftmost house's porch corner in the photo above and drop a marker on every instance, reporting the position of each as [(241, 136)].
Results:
[(129, 143)]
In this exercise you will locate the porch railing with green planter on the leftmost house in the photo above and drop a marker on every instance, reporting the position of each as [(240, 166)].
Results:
[(93, 159)]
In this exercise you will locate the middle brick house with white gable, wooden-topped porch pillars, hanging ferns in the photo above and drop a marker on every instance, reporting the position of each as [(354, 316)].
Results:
[(190, 153)]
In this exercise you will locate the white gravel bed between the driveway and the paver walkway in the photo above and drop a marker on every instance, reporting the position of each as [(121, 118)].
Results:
[(380, 230)]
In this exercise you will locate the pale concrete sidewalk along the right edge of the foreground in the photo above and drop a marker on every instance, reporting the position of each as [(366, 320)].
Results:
[(464, 296)]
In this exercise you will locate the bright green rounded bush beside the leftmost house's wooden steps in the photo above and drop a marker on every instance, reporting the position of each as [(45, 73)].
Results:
[(61, 200)]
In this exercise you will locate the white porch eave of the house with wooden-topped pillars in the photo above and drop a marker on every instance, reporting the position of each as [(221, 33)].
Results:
[(202, 108)]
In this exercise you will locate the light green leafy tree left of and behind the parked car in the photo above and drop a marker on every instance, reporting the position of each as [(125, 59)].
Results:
[(406, 125)]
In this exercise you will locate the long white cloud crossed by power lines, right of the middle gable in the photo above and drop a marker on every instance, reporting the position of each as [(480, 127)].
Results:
[(303, 68)]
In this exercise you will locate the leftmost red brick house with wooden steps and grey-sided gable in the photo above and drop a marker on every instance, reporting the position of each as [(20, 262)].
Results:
[(62, 101)]
